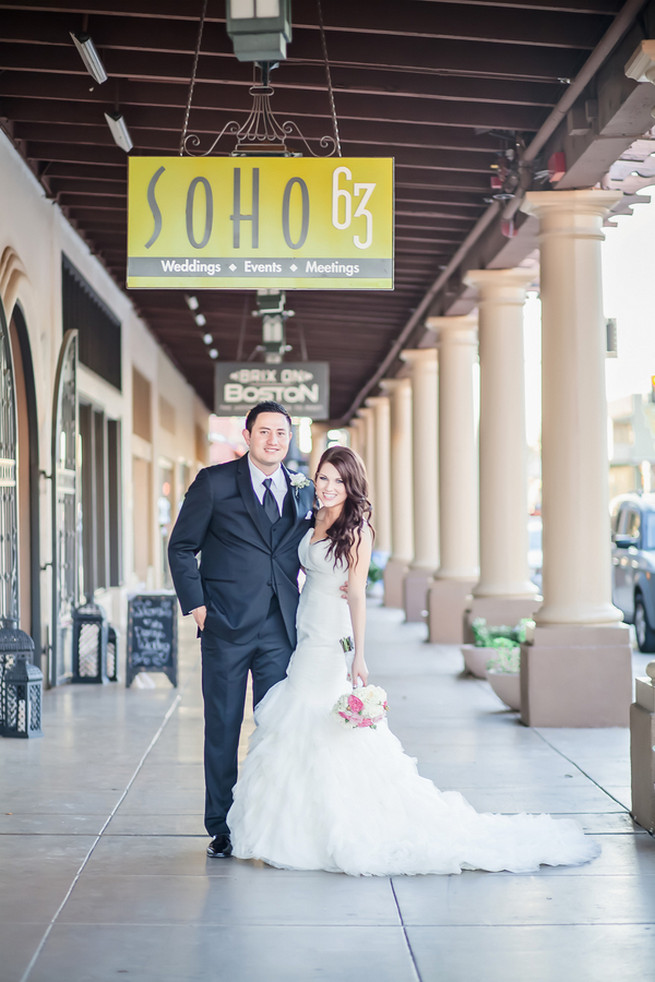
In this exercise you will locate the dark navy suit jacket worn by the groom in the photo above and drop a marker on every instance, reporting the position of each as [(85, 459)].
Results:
[(244, 560)]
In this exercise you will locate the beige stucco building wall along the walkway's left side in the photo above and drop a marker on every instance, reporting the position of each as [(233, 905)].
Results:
[(33, 234)]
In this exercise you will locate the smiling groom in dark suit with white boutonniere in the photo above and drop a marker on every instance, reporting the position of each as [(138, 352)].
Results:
[(246, 519)]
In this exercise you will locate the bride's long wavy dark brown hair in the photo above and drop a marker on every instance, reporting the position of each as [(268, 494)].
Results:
[(346, 531)]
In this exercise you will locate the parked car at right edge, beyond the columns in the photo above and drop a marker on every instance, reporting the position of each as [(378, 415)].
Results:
[(633, 564)]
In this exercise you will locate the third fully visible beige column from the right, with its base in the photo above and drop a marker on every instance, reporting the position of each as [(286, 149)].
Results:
[(458, 479)]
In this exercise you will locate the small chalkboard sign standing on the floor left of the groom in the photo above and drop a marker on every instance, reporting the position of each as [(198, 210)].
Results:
[(151, 635)]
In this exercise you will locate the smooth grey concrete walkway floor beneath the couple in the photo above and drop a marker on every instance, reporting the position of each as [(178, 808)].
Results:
[(104, 873)]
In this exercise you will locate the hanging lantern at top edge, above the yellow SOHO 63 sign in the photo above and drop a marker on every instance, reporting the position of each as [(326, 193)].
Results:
[(260, 29)]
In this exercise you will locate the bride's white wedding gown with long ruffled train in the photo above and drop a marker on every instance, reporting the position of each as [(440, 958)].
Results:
[(316, 794)]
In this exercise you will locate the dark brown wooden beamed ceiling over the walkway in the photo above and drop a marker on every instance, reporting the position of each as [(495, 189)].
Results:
[(439, 86)]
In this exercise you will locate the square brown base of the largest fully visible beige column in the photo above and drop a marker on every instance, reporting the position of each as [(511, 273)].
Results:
[(577, 676)]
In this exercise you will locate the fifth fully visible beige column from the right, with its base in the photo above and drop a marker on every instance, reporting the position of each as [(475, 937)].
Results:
[(399, 391)]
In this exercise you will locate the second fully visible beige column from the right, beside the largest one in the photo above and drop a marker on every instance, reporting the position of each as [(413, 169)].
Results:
[(504, 593)]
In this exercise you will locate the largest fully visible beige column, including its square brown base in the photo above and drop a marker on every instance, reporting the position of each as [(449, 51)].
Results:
[(577, 670)]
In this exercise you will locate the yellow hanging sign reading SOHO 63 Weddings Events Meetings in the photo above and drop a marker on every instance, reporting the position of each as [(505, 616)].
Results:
[(248, 222)]
